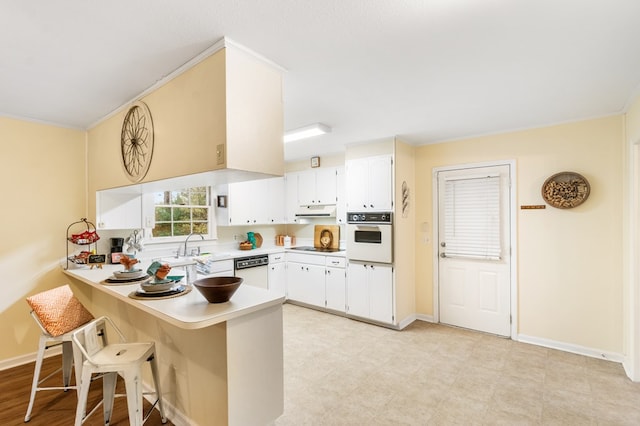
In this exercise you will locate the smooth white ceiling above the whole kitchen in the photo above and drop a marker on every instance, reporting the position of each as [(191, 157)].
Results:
[(424, 70)]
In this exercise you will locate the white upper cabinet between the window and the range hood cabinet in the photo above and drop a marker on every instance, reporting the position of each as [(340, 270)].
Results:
[(255, 202)]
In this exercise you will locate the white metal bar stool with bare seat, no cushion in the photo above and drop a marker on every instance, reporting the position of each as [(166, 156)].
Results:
[(111, 359)]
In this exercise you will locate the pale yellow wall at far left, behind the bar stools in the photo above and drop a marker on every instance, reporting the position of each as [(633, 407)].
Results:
[(43, 175)]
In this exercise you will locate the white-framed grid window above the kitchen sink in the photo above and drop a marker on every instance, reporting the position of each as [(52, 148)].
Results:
[(182, 212)]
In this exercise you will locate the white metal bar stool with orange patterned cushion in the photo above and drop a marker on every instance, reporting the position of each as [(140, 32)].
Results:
[(58, 313)]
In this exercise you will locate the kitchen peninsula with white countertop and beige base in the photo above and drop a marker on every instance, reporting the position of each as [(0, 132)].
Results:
[(219, 363)]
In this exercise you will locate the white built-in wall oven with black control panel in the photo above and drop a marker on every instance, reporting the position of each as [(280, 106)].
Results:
[(370, 236)]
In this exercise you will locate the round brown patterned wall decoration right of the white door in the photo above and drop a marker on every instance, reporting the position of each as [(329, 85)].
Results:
[(565, 190)]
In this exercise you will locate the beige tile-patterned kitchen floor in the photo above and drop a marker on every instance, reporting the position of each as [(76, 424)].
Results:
[(344, 372)]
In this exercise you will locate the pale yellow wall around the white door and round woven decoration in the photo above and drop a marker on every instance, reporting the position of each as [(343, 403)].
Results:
[(569, 261)]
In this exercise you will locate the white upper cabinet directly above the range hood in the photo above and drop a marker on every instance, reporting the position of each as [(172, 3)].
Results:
[(317, 187)]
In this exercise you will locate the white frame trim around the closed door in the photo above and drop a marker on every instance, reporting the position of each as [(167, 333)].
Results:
[(513, 287)]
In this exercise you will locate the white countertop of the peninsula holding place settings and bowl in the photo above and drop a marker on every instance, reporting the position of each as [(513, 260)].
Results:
[(189, 311)]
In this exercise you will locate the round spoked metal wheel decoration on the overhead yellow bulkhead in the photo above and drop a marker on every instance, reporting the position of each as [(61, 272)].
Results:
[(136, 141)]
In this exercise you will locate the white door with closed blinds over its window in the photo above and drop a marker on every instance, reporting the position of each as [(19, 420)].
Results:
[(474, 251)]
